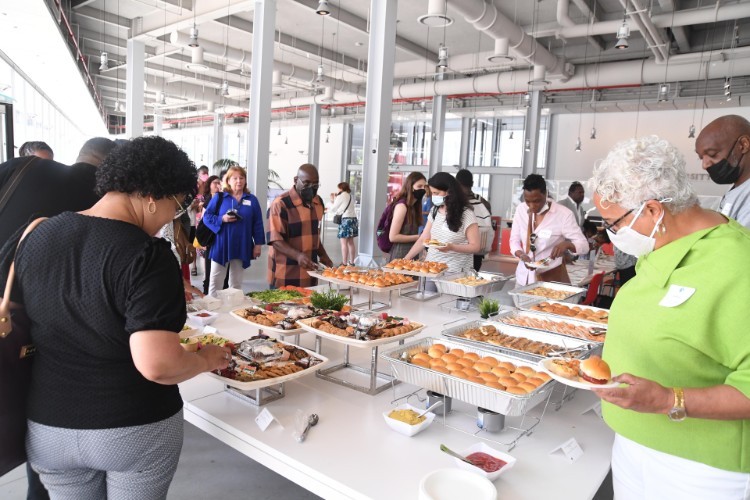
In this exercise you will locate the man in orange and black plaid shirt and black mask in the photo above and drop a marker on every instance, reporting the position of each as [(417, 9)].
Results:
[(294, 232)]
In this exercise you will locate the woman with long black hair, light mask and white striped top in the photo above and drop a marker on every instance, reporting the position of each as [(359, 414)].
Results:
[(452, 232)]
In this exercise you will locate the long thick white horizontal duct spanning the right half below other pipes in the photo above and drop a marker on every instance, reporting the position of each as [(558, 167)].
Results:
[(637, 72)]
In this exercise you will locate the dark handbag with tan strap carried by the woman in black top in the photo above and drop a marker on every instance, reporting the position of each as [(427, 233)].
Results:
[(16, 351)]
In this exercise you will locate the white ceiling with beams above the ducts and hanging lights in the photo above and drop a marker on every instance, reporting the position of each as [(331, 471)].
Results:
[(340, 42)]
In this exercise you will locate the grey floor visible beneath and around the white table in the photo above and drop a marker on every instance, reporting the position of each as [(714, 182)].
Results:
[(209, 468)]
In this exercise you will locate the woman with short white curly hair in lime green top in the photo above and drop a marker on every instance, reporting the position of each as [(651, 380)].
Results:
[(677, 332)]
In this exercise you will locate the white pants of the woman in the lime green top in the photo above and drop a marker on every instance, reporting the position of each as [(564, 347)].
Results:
[(640, 473)]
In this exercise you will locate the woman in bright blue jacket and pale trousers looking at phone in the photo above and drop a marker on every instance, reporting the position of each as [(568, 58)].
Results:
[(238, 225)]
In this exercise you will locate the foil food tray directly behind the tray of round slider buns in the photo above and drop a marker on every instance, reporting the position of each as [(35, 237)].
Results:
[(578, 348)]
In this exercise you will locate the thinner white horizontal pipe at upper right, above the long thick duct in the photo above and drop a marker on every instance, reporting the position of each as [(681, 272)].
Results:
[(686, 17)]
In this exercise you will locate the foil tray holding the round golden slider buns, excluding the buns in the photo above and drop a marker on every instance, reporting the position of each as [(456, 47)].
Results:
[(464, 390)]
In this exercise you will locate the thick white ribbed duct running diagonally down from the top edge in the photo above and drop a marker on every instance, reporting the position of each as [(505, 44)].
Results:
[(486, 17)]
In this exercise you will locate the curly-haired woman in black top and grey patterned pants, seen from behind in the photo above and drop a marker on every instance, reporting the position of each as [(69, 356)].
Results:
[(104, 411)]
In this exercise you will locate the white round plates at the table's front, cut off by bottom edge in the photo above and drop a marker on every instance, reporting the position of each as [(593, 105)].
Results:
[(449, 484)]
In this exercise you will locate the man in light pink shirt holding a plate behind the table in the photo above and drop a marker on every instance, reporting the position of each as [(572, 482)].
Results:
[(542, 231)]
